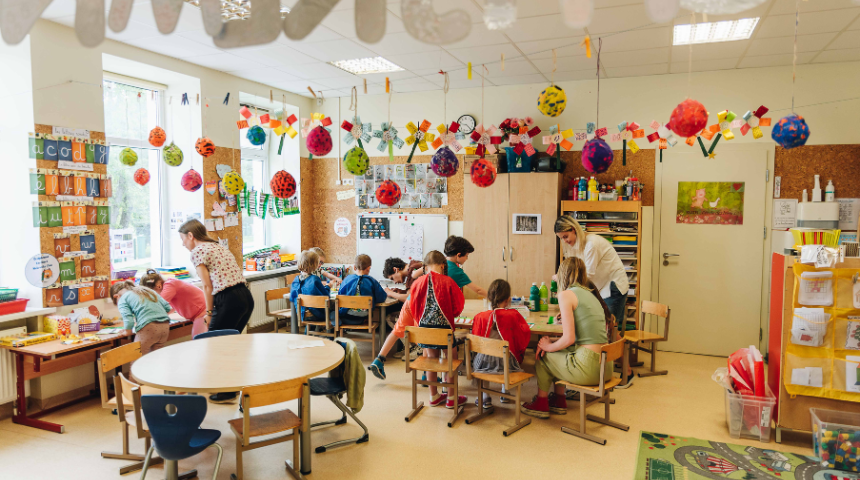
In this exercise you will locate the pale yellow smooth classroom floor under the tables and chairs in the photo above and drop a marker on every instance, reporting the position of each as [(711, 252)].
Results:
[(685, 402)]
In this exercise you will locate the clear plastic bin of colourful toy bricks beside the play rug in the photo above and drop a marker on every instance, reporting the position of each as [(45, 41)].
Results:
[(835, 436)]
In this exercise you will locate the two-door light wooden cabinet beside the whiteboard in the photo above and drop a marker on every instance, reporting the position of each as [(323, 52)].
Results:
[(488, 214)]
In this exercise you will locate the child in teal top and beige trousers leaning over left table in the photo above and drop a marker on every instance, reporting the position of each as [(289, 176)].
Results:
[(143, 312)]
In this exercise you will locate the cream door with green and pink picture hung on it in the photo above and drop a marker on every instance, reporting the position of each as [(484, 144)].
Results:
[(711, 274)]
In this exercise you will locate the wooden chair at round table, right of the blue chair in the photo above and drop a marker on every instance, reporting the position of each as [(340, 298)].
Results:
[(270, 423)]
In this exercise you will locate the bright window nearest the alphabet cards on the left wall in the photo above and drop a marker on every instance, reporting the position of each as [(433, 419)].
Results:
[(131, 112)]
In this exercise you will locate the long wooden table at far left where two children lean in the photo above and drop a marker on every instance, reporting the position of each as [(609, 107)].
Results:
[(34, 361)]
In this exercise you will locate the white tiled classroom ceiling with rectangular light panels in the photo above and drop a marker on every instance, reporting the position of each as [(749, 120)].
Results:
[(829, 31)]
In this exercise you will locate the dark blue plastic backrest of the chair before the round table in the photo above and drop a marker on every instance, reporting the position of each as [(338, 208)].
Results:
[(171, 432)]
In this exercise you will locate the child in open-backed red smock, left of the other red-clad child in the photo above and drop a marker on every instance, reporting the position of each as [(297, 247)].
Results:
[(435, 301)]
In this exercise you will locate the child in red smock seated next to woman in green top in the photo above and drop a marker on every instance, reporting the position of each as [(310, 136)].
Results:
[(500, 323)]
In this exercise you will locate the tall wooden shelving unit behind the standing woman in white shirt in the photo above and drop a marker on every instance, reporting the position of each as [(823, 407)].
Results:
[(621, 214)]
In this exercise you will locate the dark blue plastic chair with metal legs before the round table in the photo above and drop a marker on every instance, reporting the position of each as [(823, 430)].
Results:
[(177, 436)]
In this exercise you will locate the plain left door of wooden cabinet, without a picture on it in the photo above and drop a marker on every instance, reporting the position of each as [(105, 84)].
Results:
[(485, 215)]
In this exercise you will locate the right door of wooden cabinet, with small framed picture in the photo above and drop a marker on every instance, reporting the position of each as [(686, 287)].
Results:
[(533, 257)]
